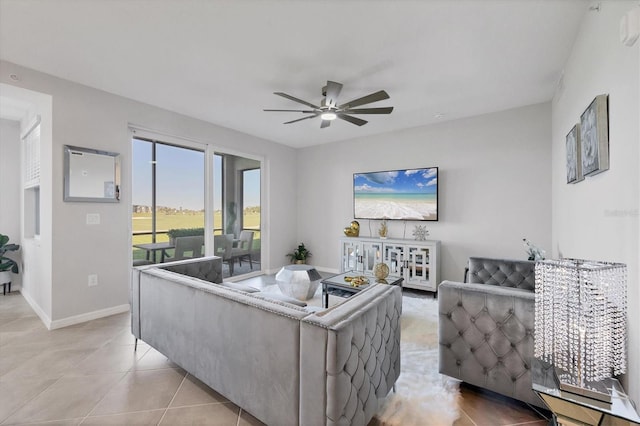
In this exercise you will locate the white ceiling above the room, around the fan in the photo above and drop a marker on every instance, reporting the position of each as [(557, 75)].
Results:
[(221, 60)]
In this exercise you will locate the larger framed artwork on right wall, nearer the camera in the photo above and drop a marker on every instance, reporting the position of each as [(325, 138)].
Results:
[(594, 136)]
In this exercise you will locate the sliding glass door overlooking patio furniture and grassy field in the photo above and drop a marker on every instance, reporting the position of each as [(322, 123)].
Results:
[(169, 207)]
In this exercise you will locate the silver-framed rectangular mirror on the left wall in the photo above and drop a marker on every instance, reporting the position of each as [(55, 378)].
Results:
[(91, 175)]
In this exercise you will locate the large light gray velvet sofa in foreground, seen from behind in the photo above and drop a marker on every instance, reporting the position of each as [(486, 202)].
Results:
[(282, 363)]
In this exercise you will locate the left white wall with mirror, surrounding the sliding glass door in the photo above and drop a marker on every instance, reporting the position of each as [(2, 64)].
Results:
[(91, 118)]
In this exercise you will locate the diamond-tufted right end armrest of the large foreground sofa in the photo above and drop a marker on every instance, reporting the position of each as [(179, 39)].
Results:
[(350, 357)]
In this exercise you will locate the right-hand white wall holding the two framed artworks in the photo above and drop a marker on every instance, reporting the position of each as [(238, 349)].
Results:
[(598, 217)]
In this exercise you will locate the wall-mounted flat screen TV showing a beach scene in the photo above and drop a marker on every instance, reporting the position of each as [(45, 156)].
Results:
[(410, 194)]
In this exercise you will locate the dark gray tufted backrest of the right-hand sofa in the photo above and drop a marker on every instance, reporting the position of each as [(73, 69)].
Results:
[(502, 272)]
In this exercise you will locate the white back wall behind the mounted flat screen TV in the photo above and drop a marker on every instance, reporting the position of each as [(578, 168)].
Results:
[(494, 178)]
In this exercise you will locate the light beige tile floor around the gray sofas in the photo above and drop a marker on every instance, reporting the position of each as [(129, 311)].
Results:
[(89, 374)]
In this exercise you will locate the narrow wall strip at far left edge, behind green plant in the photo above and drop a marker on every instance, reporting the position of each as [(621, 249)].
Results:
[(9, 173)]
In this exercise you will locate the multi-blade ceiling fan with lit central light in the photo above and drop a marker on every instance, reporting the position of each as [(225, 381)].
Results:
[(329, 109)]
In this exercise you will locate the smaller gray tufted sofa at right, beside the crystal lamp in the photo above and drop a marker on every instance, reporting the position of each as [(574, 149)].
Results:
[(486, 327)]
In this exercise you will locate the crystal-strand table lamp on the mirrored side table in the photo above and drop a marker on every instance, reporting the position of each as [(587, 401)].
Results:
[(581, 322)]
